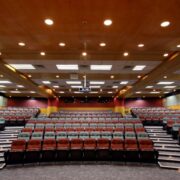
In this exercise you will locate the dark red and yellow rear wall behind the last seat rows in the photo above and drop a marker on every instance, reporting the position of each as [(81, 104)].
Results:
[(53, 105)]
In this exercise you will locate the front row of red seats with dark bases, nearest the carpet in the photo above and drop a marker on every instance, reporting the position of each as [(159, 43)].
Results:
[(78, 149)]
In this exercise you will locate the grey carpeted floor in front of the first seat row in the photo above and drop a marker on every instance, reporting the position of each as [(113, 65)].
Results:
[(88, 172)]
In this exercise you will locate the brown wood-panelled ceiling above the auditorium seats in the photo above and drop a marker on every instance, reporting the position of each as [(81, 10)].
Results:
[(79, 24)]
